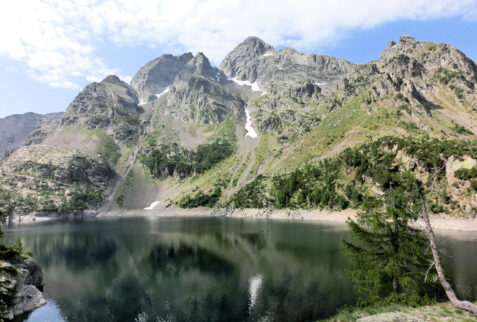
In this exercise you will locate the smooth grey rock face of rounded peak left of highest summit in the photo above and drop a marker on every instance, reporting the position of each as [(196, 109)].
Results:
[(159, 73)]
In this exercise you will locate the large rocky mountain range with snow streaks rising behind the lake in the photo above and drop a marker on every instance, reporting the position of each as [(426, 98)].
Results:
[(190, 134)]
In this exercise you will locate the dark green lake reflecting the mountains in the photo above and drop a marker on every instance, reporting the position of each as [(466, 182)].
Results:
[(203, 269)]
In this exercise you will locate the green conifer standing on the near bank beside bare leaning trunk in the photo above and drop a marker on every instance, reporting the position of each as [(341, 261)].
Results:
[(388, 257)]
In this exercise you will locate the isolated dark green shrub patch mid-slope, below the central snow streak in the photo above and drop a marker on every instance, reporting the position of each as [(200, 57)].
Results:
[(173, 160)]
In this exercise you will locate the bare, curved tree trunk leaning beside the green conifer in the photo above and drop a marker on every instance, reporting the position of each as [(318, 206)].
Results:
[(463, 305)]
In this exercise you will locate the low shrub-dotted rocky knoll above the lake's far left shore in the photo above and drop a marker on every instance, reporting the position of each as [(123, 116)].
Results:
[(67, 179)]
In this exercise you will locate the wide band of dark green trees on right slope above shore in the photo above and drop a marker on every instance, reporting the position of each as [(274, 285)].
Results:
[(343, 181)]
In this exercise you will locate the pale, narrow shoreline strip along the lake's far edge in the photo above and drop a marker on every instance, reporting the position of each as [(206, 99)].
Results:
[(439, 222)]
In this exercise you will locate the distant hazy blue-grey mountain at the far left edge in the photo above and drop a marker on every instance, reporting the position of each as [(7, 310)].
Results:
[(14, 129)]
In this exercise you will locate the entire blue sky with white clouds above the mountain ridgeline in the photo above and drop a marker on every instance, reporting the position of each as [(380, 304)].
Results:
[(50, 51)]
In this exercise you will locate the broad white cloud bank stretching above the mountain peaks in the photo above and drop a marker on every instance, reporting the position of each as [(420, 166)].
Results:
[(57, 39)]
